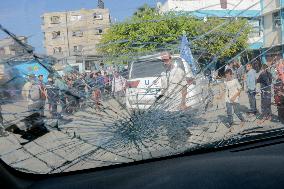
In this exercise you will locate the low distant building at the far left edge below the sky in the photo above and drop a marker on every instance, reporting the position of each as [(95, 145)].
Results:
[(9, 47)]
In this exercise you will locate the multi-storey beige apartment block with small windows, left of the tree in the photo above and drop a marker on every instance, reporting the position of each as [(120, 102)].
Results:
[(72, 36)]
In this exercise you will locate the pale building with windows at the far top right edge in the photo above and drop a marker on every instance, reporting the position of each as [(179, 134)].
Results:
[(273, 27)]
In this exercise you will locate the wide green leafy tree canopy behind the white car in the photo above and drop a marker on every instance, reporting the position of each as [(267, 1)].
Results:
[(148, 31)]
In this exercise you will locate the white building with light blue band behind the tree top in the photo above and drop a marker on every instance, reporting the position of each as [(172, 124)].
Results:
[(249, 9)]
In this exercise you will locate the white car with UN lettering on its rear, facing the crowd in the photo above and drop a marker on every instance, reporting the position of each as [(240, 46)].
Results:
[(148, 83)]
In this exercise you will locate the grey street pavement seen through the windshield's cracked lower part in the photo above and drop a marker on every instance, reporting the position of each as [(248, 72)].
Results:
[(94, 138)]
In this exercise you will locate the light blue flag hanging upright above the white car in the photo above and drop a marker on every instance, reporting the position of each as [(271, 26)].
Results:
[(185, 53)]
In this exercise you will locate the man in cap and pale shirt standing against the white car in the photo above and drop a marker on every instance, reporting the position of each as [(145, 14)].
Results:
[(176, 84)]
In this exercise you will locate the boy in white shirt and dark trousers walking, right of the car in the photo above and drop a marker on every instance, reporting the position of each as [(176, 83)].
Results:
[(232, 94)]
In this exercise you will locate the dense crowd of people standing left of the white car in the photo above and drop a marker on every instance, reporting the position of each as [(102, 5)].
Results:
[(72, 91)]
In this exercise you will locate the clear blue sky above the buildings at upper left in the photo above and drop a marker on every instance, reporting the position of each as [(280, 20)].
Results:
[(22, 17)]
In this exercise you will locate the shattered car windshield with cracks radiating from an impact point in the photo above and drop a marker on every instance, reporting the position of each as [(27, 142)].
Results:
[(67, 102)]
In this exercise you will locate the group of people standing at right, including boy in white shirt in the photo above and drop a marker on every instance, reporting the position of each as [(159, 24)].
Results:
[(270, 78)]
